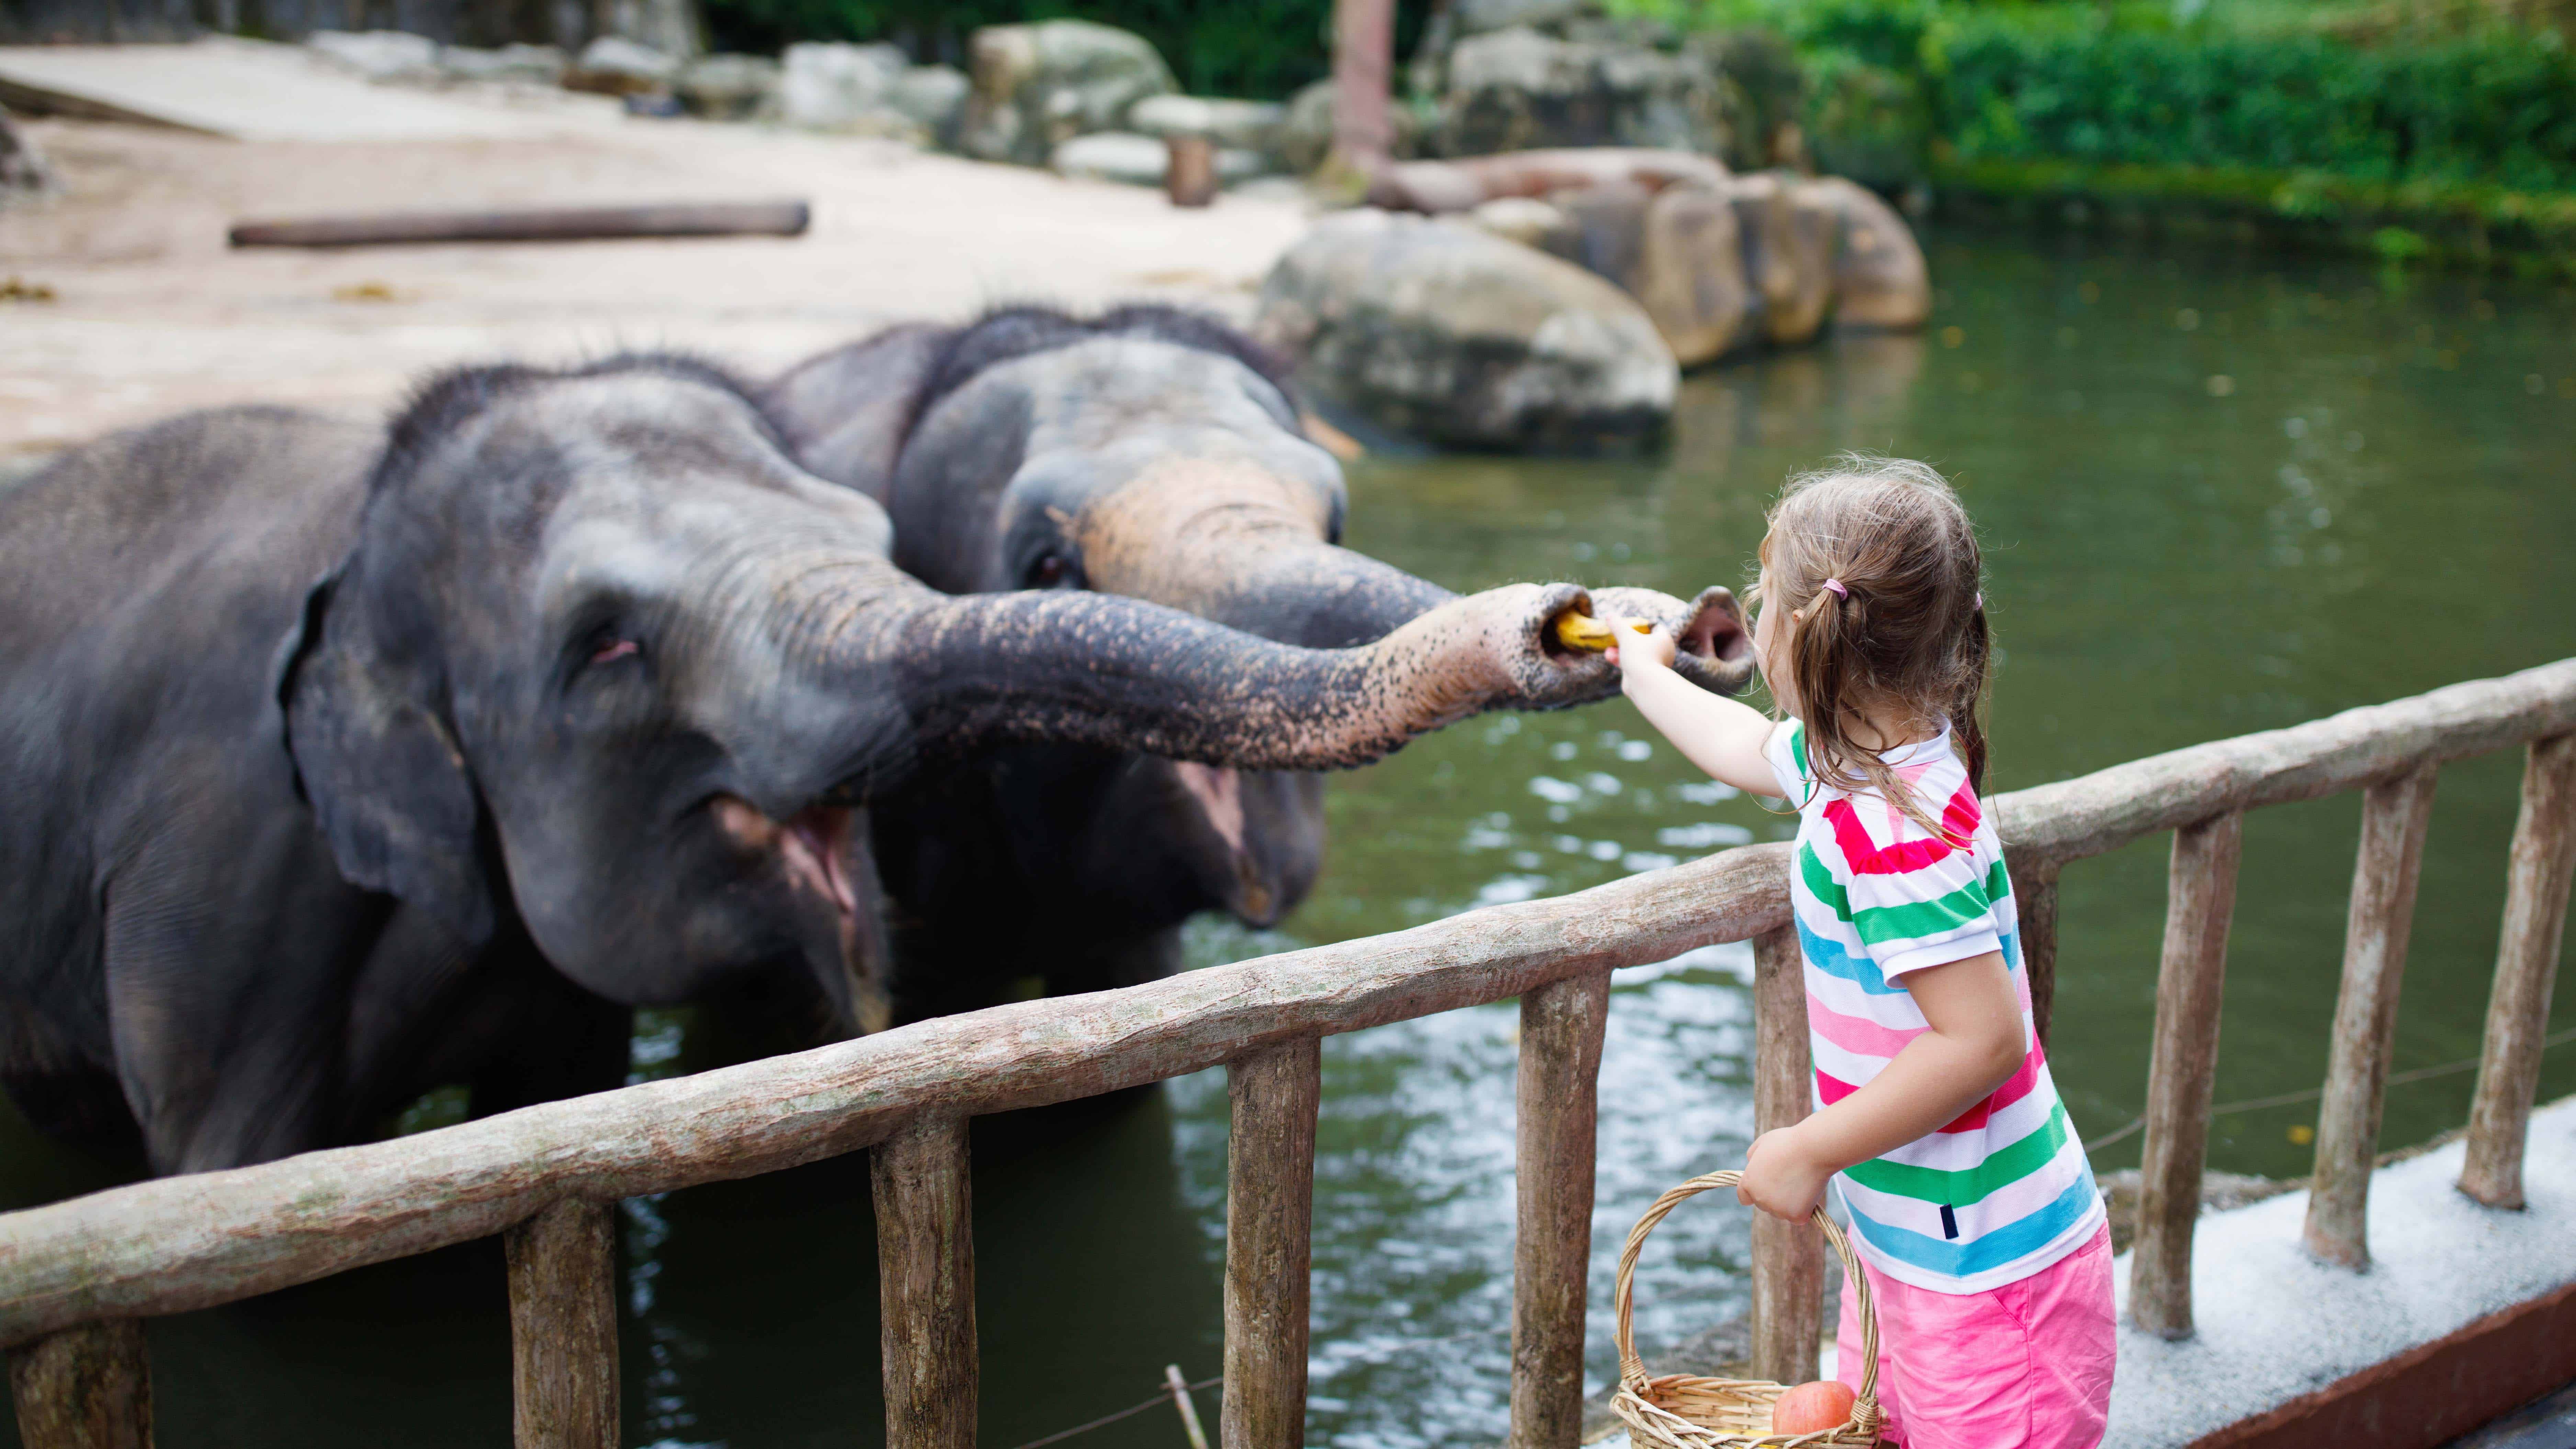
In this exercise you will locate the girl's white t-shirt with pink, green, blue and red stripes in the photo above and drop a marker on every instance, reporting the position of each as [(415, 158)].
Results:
[(2005, 1190)]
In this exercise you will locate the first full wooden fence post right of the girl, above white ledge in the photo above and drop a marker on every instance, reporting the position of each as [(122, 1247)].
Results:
[(2201, 901)]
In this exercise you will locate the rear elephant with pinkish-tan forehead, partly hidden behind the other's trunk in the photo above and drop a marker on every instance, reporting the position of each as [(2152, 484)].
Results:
[(1158, 455)]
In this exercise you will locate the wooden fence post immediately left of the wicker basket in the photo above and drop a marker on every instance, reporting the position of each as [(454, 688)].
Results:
[(1552, 1254)]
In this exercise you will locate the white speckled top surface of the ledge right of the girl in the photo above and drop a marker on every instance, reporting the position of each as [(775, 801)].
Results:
[(2278, 1327)]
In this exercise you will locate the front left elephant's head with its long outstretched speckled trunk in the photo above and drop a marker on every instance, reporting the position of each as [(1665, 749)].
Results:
[(609, 666)]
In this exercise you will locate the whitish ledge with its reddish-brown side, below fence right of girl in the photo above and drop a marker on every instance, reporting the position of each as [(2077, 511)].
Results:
[(2461, 1303)]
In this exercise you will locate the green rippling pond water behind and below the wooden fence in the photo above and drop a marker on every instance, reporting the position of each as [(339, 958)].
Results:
[(2219, 496)]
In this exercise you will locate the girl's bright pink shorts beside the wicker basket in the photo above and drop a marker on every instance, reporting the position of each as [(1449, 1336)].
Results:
[(2013, 1368)]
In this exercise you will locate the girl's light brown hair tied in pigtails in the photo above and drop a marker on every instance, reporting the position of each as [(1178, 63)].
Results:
[(1908, 625)]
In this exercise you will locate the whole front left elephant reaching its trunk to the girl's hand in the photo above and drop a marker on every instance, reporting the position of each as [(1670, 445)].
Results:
[(344, 762)]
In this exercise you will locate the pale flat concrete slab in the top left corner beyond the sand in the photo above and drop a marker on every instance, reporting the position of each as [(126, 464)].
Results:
[(256, 92)]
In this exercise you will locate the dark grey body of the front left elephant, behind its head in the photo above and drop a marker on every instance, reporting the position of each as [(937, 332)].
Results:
[(153, 844)]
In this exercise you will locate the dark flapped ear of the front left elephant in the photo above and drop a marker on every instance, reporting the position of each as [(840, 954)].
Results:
[(380, 767)]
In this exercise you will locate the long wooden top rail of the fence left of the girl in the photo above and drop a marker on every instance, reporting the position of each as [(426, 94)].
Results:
[(184, 1244)]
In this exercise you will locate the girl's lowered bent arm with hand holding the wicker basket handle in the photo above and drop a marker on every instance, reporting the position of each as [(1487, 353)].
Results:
[(1975, 1043)]
